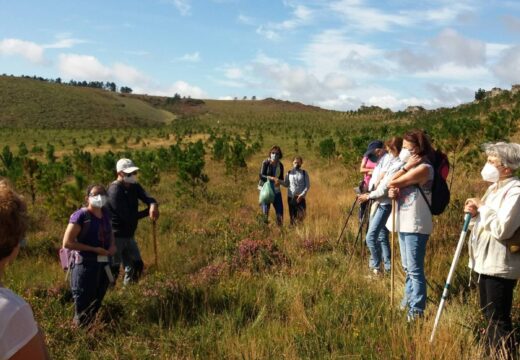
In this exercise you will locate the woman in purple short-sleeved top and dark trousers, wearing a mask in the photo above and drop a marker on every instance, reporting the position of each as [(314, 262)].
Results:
[(89, 234)]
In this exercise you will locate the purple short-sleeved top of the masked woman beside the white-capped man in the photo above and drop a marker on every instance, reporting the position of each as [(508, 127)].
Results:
[(94, 231)]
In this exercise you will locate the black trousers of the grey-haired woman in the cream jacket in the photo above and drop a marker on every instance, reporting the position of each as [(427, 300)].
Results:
[(496, 299)]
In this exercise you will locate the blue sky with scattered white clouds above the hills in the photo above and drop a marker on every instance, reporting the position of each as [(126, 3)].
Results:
[(336, 54)]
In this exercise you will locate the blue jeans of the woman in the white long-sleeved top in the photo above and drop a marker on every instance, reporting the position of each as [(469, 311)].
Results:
[(377, 238)]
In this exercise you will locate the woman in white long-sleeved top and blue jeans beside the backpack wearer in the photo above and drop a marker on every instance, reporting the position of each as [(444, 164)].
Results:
[(377, 234)]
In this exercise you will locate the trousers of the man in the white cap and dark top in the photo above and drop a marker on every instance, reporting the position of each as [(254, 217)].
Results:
[(128, 254)]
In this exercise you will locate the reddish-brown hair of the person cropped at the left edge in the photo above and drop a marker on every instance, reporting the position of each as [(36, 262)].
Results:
[(13, 219)]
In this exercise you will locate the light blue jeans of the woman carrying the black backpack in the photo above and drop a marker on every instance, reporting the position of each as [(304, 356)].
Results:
[(413, 250)]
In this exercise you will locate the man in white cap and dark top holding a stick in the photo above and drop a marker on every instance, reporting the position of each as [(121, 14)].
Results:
[(123, 201)]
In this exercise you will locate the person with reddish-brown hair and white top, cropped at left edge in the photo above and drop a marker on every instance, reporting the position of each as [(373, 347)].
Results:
[(20, 337)]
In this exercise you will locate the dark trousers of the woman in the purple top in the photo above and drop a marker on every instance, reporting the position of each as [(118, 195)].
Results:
[(89, 283)]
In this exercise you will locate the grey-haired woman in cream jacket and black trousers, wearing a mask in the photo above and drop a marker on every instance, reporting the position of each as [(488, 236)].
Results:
[(496, 217)]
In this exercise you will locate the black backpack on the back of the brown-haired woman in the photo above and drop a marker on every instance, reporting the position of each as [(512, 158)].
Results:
[(440, 189)]
